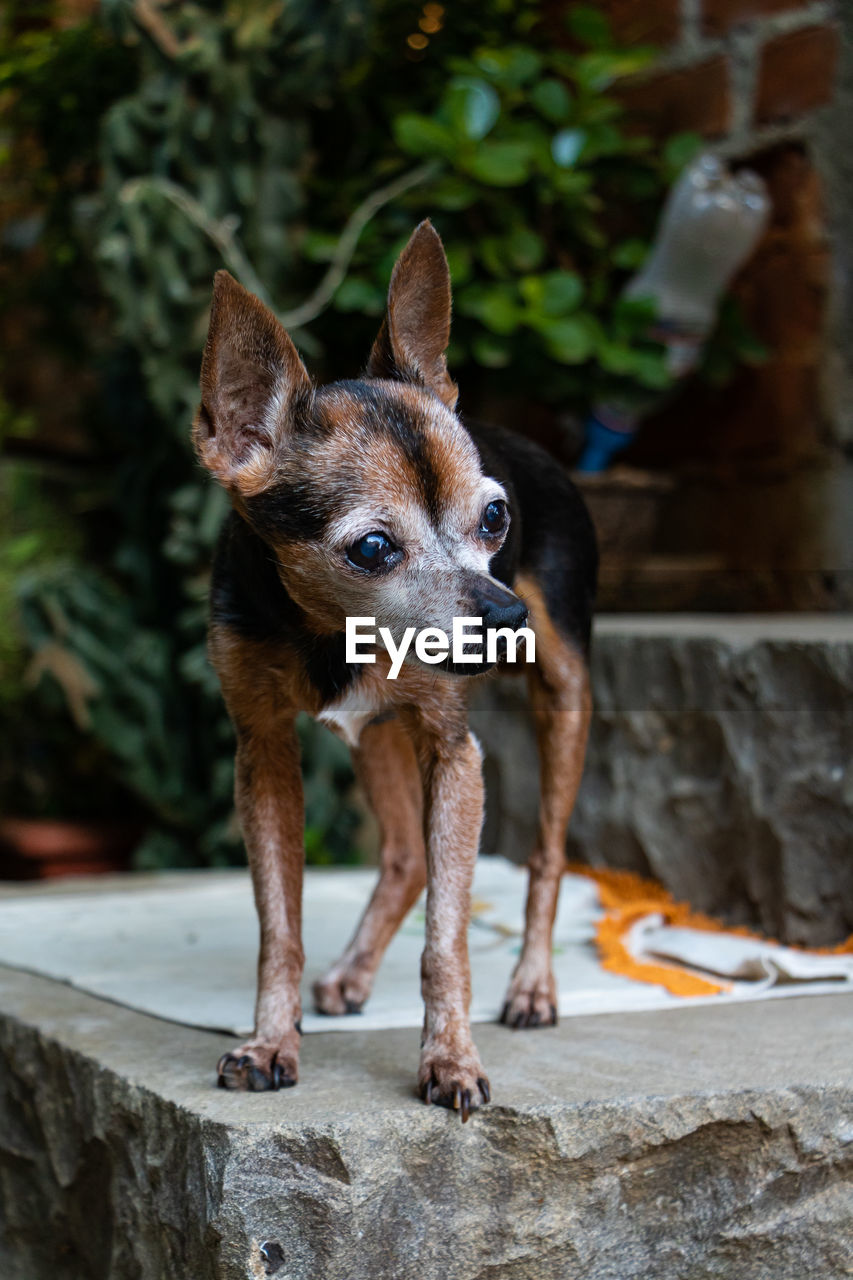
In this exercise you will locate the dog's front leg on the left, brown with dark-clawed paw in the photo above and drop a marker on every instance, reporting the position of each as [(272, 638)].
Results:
[(270, 803)]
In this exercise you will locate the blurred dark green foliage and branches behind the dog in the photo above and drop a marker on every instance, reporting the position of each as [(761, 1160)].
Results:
[(152, 145)]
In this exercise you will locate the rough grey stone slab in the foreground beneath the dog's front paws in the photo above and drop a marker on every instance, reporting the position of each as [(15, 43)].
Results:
[(683, 1146)]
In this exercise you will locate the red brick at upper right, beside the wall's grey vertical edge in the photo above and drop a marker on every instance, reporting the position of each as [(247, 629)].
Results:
[(797, 74)]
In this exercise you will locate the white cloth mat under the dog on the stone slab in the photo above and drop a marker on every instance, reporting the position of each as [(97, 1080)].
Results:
[(185, 949)]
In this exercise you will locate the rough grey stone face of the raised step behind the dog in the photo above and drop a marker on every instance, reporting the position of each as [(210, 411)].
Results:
[(720, 764)]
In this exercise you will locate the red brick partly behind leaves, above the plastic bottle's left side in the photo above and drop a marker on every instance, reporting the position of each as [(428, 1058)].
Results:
[(696, 98)]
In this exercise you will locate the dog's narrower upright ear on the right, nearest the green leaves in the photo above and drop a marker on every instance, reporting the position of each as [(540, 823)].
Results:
[(416, 332)]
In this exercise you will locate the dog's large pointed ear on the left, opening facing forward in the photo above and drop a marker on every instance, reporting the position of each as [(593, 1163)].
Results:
[(252, 377)]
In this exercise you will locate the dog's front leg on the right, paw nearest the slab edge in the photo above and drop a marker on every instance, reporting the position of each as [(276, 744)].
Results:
[(450, 1068)]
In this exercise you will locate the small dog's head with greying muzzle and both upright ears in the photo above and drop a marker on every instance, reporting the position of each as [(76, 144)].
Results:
[(370, 493)]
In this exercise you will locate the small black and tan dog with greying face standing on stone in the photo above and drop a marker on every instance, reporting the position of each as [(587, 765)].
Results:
[(372, 500)]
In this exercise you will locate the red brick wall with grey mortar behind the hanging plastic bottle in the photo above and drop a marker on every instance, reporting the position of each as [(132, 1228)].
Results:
[(758, 514)]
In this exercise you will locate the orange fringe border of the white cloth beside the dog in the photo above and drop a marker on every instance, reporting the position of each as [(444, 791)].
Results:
[(628, 899)]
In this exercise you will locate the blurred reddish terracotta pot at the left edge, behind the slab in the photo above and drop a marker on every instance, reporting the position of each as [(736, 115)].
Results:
[(43, 848)]
